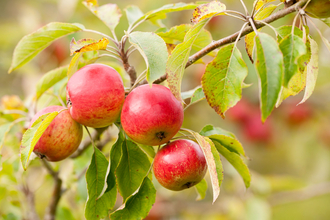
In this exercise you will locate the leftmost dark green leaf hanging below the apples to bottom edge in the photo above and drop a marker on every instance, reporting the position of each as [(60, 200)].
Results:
[(97, 208)]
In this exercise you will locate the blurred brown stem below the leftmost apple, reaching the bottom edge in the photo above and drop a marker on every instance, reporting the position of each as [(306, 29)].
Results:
[(57, 192)]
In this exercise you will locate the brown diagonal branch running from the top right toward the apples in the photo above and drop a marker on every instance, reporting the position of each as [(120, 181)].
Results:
[(232, 38)]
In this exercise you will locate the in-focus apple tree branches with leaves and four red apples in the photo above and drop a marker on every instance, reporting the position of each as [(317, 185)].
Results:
[(147, 108)]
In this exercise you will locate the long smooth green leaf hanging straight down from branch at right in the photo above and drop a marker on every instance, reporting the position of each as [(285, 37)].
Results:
[(269, 65)]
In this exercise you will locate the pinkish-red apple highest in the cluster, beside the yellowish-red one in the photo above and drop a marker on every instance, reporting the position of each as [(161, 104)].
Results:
[(95, 95)]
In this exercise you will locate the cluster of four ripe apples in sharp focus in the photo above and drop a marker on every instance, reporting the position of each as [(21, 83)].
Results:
[(148, 115)]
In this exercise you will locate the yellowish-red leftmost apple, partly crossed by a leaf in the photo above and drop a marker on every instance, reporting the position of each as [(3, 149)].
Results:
[(61, 138)]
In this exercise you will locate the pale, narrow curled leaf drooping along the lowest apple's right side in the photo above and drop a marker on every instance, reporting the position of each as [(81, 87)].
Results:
[(213, 162)]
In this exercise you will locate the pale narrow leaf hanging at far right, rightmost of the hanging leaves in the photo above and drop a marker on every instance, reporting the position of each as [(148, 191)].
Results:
[(312, 70)]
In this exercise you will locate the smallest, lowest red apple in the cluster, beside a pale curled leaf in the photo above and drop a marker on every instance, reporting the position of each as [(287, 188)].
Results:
[(179, 165)]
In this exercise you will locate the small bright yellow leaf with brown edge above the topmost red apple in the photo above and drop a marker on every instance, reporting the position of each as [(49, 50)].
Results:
[(85, 45)]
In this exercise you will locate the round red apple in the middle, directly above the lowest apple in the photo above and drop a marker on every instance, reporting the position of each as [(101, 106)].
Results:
[(151, 115)]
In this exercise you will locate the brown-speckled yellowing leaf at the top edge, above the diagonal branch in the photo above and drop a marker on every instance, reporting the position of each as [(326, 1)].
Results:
[(207, 10)]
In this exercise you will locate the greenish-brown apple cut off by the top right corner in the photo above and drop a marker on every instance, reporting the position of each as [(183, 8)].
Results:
[(318, 8)]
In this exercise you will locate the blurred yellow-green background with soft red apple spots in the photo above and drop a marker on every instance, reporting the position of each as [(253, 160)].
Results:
[(288, 156)]
